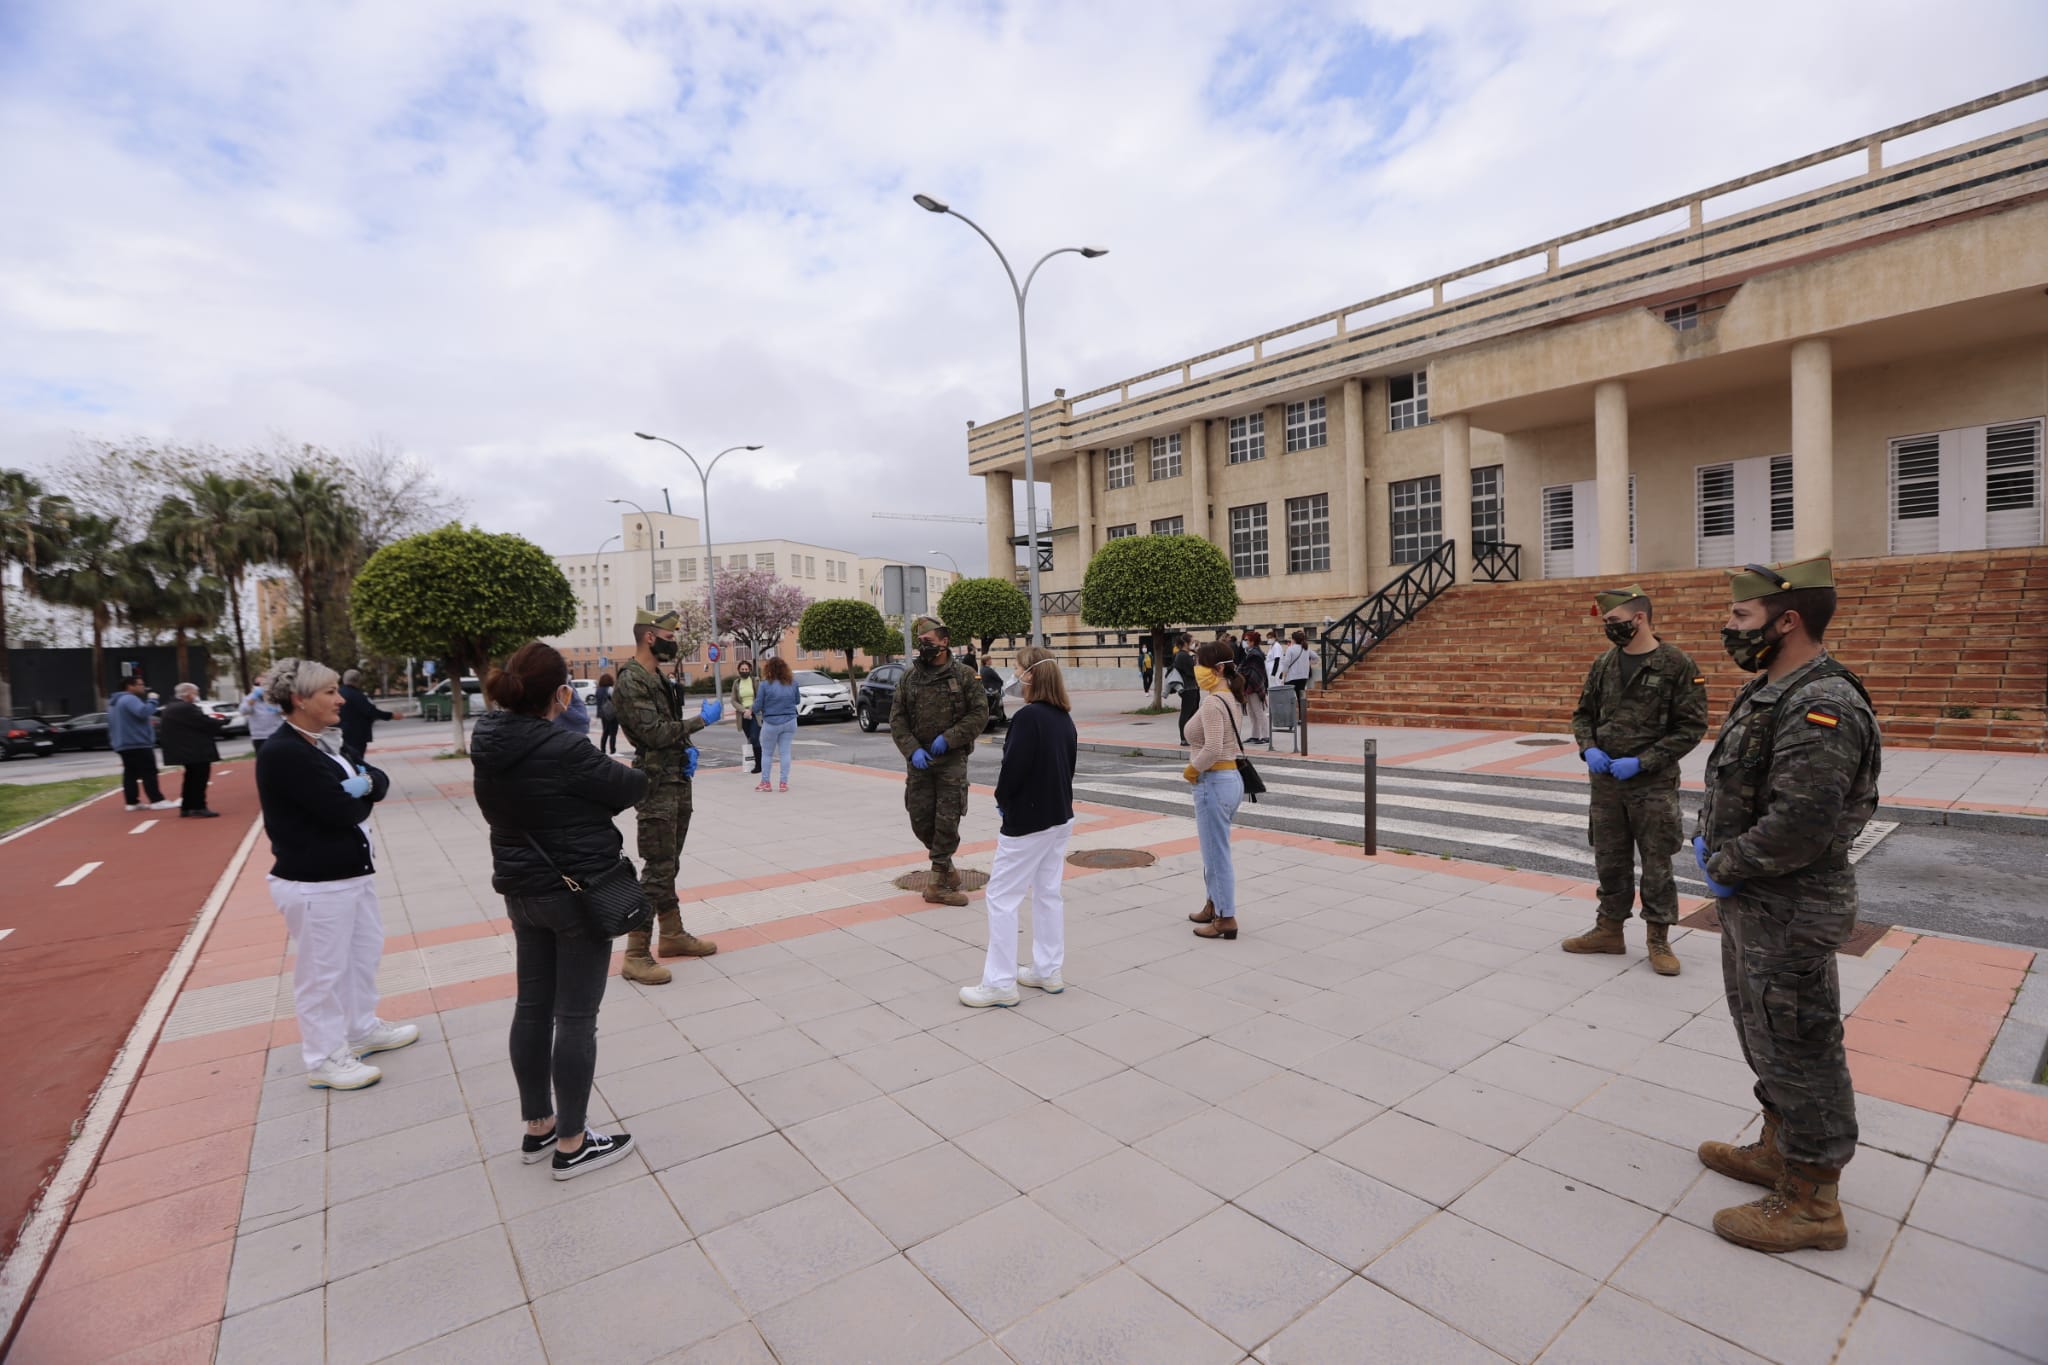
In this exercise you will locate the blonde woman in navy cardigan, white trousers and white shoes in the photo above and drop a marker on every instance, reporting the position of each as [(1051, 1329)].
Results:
[(1035, 801)]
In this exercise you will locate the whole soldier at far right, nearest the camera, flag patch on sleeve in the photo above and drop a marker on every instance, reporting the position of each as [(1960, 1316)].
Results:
[(1789, 787)]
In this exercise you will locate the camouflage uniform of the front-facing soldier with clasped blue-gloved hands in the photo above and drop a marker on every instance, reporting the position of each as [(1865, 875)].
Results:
[(1658, 717)]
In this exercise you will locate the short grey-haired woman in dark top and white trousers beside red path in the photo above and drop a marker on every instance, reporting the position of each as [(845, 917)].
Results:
[(316, 807)]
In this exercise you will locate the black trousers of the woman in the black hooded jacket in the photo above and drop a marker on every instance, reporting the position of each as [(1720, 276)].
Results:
[(562, 971)]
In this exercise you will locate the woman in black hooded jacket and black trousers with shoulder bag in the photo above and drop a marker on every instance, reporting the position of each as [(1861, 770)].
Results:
[(552, 803)]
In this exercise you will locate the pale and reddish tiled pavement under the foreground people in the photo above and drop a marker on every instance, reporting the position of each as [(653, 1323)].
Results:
[(1392, 1122)]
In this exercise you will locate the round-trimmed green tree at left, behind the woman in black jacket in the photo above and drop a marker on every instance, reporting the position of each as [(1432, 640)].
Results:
[(460, 595)]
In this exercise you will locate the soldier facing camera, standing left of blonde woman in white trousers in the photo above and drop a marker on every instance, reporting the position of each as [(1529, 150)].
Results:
[(937, 717)]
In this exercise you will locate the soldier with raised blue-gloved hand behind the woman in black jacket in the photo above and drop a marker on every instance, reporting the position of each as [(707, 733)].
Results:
[(650, 711)]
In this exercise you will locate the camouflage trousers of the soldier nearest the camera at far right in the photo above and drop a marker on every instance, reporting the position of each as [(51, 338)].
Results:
[(1779, 973)]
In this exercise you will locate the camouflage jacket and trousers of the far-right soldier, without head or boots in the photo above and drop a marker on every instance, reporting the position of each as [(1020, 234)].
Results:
[(1789, 787)]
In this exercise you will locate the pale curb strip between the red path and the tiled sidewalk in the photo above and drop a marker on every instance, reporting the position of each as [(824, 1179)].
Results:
[(46, 1225)]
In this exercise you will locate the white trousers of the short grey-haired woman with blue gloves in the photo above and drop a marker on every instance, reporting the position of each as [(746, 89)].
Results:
[(337, 930)]
